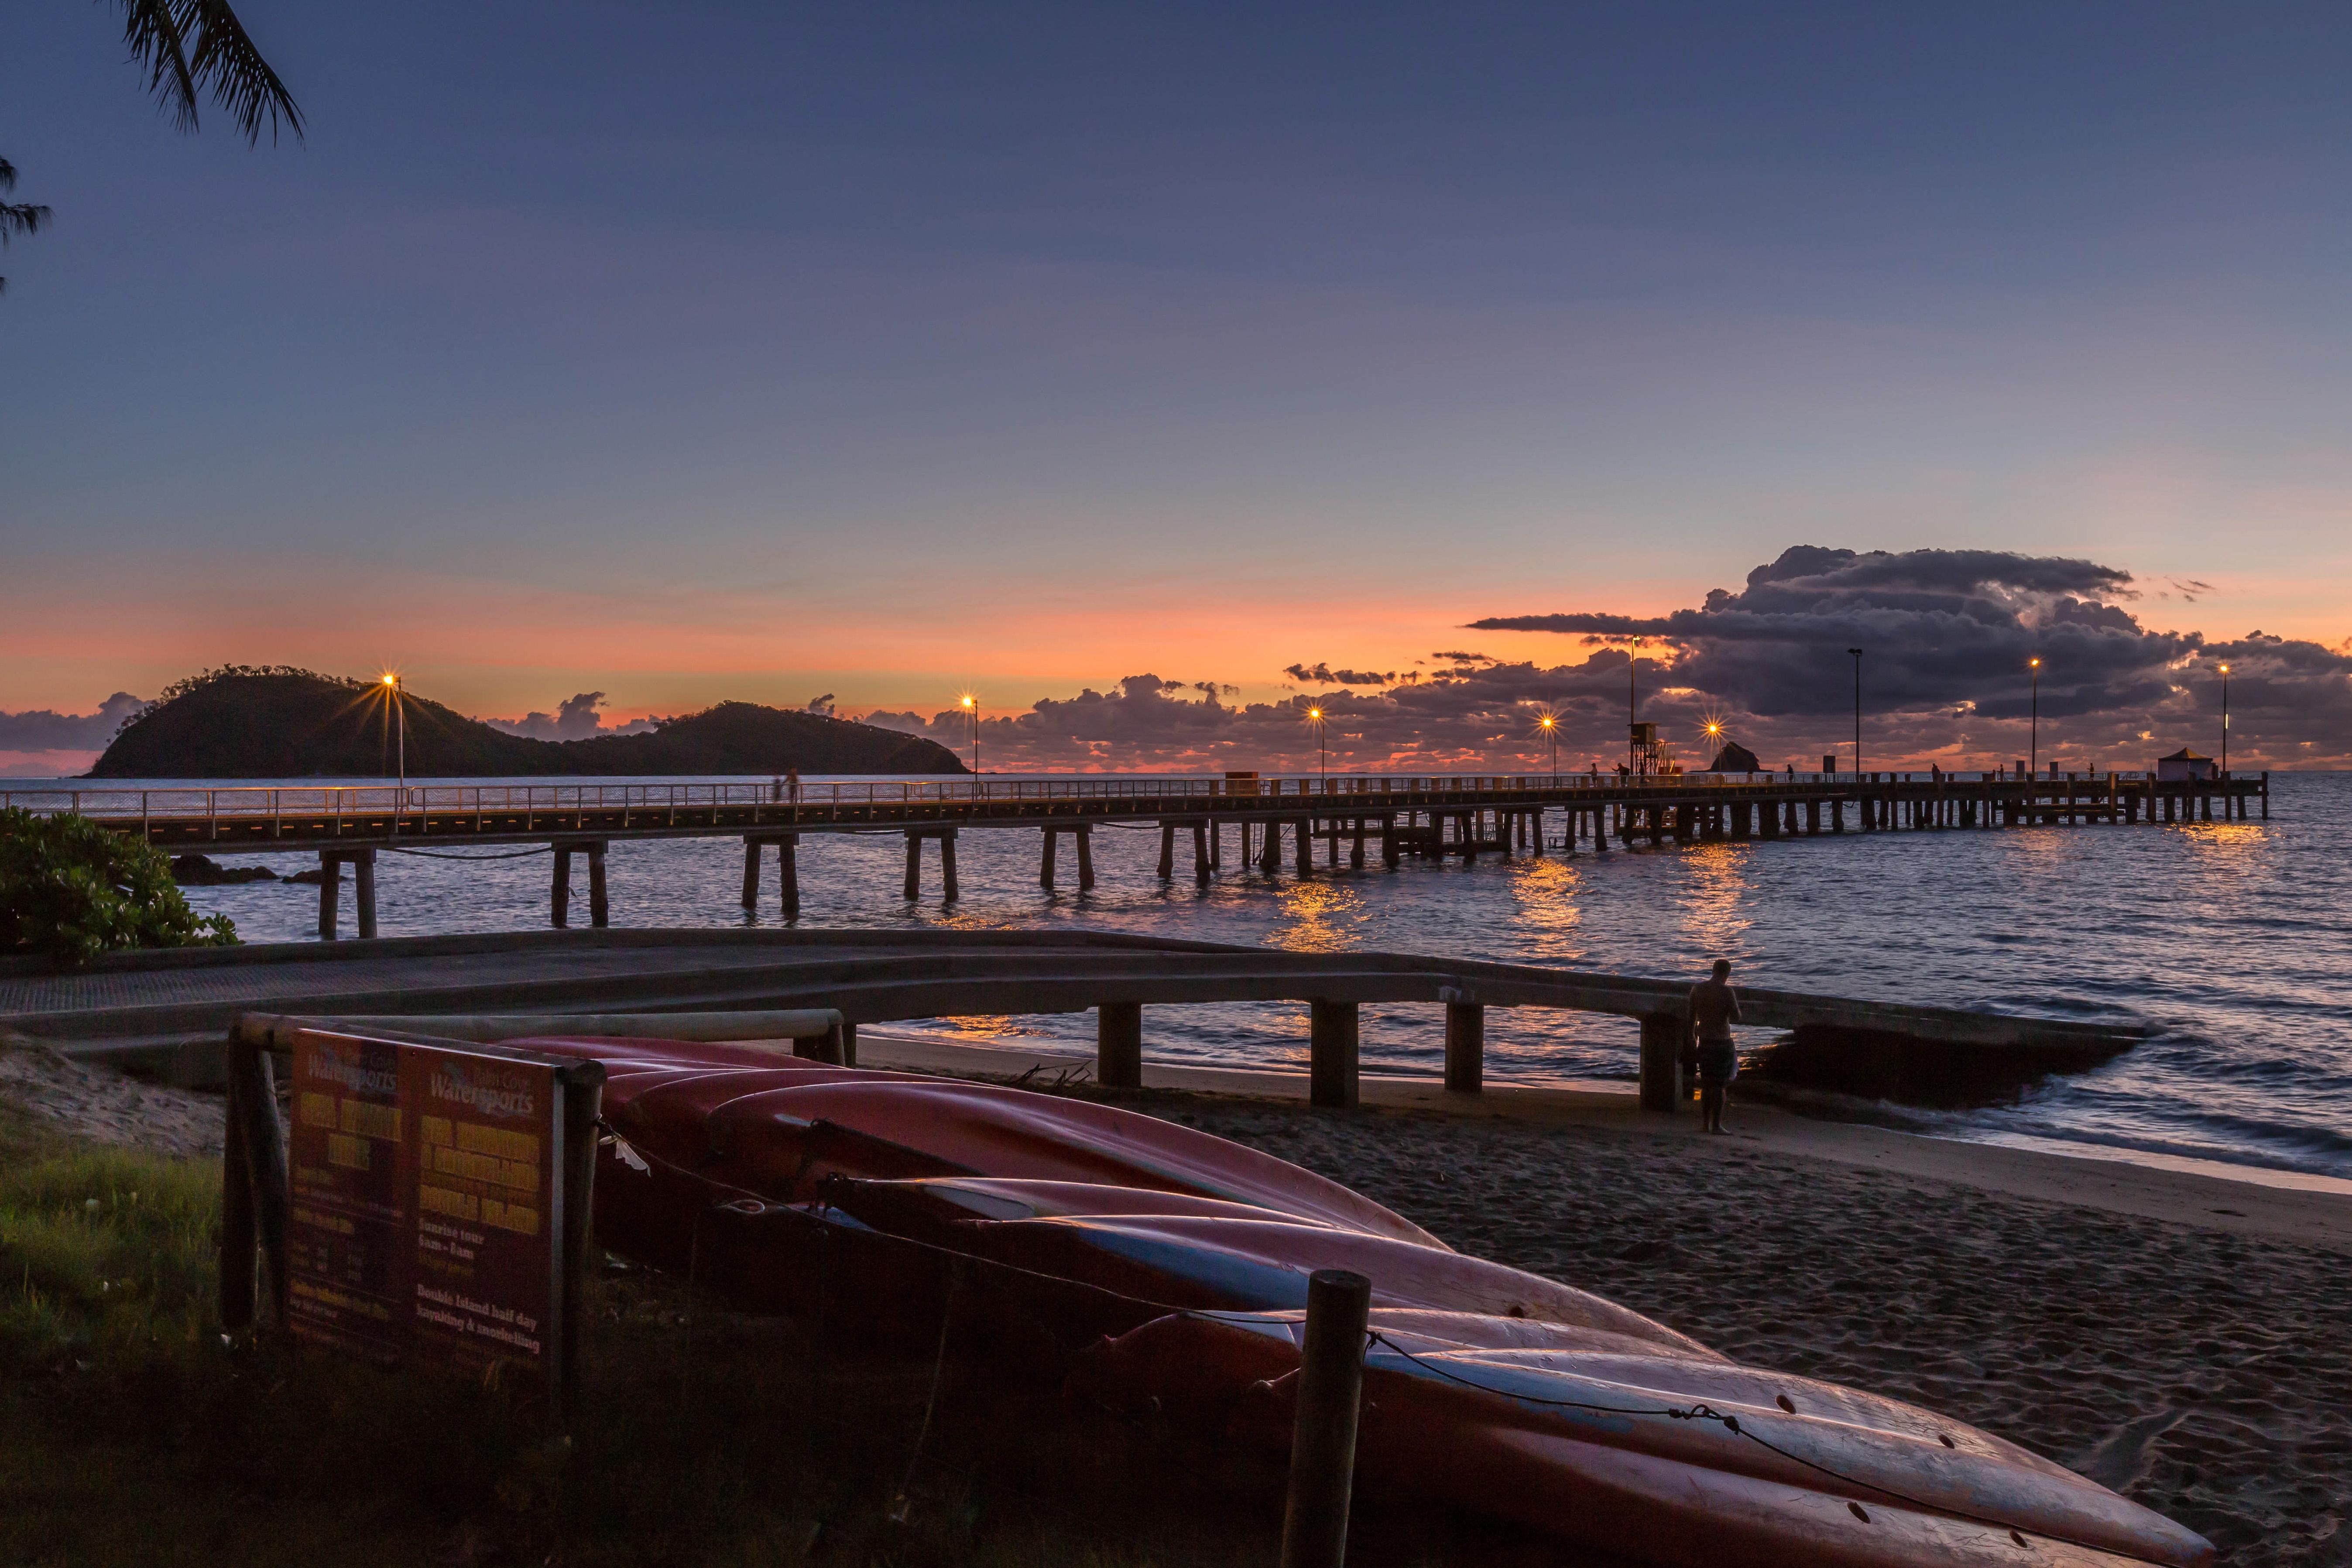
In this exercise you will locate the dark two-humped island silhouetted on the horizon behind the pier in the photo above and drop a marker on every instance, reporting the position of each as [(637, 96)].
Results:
[(279, 723)]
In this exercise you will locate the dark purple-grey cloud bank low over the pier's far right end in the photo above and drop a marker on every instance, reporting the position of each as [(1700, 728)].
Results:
[(1946, 641)]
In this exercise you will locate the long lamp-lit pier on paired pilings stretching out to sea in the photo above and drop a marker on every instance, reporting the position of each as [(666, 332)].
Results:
[(1271, 822)]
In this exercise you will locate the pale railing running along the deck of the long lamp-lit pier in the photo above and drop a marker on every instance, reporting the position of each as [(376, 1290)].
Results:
[(250, 803)]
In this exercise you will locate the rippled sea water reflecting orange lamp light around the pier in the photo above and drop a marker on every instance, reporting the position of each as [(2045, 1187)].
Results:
[(2231, 939)]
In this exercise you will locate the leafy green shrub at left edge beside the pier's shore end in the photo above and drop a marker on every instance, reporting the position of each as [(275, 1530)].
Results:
[(74, 890)]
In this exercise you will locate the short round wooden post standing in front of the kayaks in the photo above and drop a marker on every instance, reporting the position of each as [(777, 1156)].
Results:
[(1323, 1438)]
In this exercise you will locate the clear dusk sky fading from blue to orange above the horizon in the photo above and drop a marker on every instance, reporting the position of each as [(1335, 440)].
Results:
[(890, 351)]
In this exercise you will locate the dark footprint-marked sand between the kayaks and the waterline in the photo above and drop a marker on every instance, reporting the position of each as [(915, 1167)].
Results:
[(2177, 1336)]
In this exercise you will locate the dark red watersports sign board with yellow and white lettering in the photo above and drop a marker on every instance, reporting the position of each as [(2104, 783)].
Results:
[(427, 1205)]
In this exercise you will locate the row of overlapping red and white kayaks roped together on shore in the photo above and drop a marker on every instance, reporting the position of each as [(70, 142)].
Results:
[(1158, 1266)]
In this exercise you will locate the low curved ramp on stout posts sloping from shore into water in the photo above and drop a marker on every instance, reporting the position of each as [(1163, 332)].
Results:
[(171, 1012)]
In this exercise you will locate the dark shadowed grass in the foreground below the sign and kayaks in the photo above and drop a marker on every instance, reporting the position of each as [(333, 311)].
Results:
[(131, 1433)]
